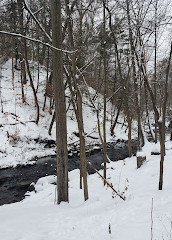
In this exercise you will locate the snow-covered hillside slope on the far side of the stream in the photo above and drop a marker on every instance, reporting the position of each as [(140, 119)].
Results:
[(16, 120)]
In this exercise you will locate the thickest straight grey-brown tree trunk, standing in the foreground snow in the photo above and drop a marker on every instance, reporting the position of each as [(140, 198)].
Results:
[(60, 105)]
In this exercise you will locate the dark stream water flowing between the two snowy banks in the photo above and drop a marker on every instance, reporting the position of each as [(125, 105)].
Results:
[(15, 182)]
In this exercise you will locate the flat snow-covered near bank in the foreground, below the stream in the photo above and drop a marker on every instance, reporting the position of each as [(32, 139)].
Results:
[(38, 218)]
